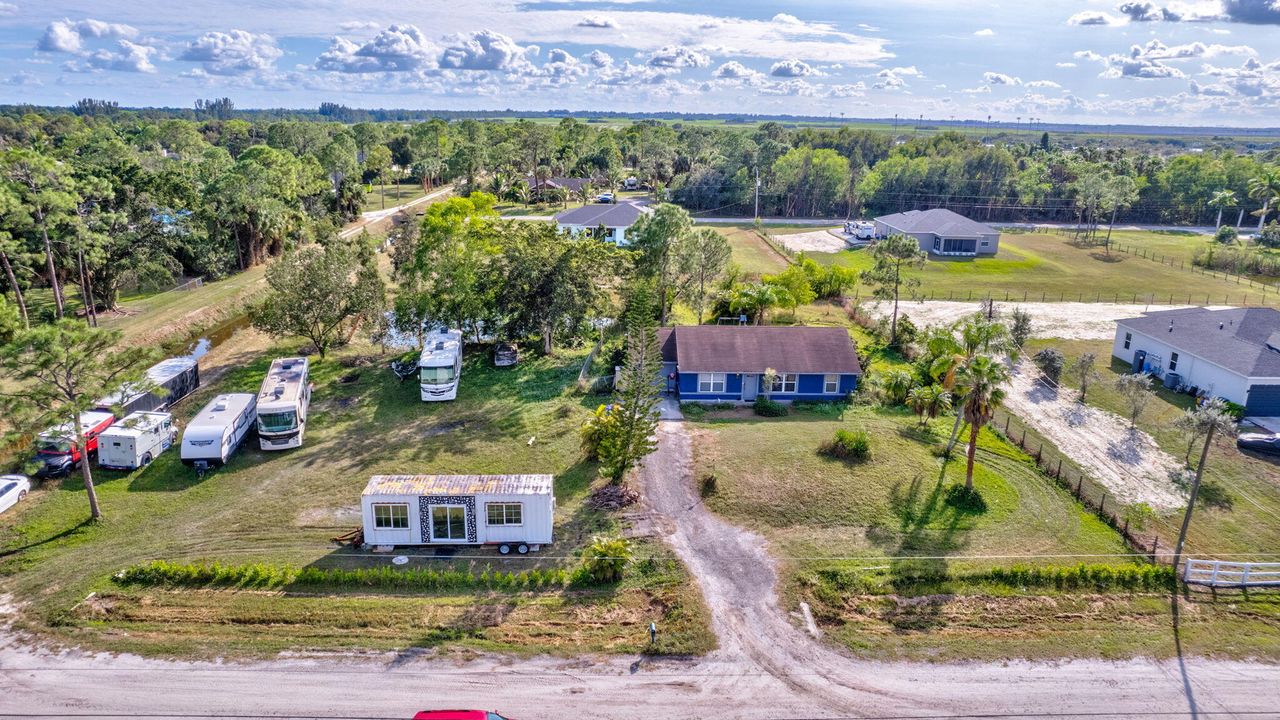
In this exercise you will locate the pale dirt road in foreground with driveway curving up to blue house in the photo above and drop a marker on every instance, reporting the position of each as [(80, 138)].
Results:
[(766, 668)]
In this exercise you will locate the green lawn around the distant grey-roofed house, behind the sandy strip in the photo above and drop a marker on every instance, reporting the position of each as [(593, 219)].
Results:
[(1049, 267)]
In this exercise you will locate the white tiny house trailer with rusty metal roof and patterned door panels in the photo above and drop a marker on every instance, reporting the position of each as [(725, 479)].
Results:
[(510, 512)]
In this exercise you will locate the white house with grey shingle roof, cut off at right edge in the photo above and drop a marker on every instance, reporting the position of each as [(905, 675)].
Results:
[(1233, 354)]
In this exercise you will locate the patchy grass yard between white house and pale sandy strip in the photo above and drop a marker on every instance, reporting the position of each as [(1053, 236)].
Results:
[(1251, 525)]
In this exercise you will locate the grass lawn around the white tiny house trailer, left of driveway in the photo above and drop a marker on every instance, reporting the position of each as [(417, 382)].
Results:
[(284, 508)]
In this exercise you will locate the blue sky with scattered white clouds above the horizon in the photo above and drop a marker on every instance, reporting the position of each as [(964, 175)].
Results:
[(1212, 62)]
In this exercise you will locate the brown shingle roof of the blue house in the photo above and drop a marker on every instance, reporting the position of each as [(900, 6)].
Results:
[(751, 349)]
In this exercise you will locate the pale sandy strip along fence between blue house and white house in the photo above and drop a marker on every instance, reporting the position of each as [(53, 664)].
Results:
[(1127, 462)]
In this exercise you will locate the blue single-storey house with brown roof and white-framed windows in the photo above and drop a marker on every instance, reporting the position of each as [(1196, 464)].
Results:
[(728, 363)]
